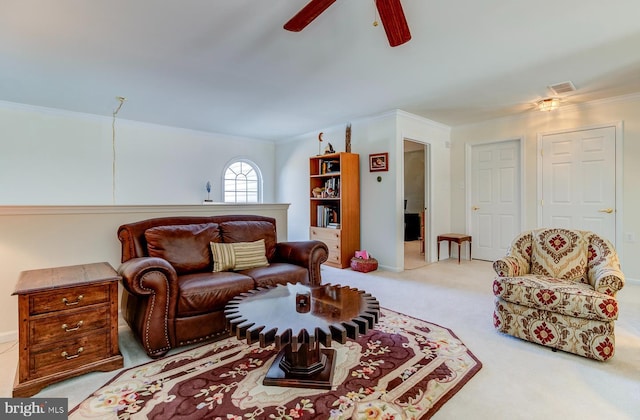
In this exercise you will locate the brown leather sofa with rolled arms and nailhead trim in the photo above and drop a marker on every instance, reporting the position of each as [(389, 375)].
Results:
[(171, 295)]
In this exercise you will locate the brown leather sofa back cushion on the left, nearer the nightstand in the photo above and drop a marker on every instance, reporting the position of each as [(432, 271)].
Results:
[(185, 247)]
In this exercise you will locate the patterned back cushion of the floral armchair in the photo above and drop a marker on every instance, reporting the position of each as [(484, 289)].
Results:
[(559, 253)]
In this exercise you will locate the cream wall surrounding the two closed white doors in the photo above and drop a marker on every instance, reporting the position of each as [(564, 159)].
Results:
[(528, 126)]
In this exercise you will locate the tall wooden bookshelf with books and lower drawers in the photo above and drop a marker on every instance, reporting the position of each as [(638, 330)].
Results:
[(334, 181)]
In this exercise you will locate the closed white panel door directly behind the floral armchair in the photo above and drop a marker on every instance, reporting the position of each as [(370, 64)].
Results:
[(579, 180)]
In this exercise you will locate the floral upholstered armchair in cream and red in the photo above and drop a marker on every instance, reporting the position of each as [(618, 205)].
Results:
[(557, 287)]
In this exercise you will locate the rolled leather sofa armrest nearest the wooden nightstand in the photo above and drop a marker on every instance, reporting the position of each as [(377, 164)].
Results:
[(155, 281)]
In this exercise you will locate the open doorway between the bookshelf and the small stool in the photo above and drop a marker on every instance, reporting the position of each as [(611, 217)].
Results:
[(416, 197)]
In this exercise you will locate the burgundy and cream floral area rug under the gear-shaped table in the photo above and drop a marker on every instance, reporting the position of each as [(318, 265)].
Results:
[(404, 368)]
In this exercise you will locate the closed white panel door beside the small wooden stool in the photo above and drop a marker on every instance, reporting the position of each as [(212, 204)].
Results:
[(495, 198)]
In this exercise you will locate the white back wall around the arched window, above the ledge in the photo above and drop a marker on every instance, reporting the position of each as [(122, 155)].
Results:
[(52, 157)]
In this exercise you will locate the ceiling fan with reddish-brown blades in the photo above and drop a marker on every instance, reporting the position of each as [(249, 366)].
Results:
[(391, 15)]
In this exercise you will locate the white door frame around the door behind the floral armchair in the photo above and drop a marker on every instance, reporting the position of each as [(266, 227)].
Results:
[(618, 126)]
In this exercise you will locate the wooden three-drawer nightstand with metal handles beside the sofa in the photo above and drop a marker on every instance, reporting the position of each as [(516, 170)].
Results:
[(68, 324)]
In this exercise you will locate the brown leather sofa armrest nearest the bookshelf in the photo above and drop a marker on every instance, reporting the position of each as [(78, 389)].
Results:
[(308, 254)]
